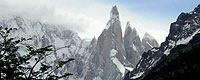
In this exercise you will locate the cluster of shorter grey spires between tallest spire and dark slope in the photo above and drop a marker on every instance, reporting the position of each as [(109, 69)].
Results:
[(134, 47)]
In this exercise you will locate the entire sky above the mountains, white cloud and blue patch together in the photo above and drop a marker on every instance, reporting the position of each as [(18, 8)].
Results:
[(89, 17)]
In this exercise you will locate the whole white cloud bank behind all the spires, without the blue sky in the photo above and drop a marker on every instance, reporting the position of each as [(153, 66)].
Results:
[(87, 17)]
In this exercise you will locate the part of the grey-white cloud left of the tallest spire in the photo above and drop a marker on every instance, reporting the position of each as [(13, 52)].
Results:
[(85, 16)]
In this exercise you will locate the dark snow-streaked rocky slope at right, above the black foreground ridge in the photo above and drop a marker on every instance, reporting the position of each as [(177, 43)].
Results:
[(181, 32)]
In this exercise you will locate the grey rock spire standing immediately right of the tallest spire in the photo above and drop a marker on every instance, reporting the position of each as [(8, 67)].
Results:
[(133, 45)]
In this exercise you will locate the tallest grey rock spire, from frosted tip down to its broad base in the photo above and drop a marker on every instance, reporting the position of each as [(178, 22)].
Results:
[(109, 65)]
